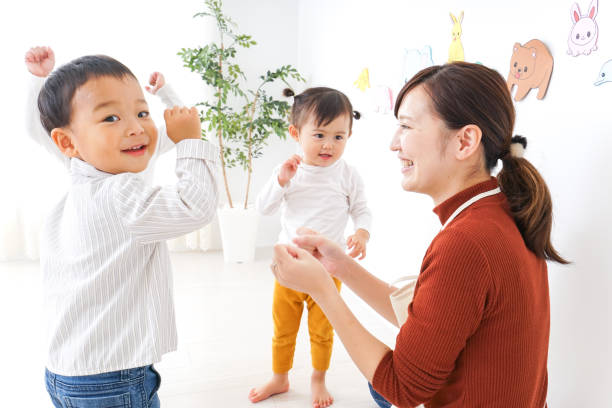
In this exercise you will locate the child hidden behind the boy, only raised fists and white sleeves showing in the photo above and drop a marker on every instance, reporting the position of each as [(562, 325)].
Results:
[(40, 62)]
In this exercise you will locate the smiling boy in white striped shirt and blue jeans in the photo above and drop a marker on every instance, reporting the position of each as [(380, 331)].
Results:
[(107, 279)]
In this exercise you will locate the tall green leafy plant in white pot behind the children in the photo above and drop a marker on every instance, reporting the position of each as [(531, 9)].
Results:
[(241, 120)]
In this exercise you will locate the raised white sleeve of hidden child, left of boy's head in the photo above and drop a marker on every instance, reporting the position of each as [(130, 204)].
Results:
[(34, 128)]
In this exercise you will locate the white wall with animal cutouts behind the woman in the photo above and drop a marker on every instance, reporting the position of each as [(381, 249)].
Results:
[(569, 142)]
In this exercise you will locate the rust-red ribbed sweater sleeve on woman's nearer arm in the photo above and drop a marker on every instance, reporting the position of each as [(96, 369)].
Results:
[(448, 305)]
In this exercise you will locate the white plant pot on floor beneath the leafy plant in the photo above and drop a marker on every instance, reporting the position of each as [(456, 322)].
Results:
[(238, 233)]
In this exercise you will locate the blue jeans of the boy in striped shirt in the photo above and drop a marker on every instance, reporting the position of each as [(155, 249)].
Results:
[(133, 388)]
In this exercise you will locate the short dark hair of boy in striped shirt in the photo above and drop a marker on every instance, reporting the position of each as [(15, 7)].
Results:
[(55, 97)]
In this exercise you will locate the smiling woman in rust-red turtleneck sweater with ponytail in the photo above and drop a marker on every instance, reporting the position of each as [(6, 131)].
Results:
[(478, 325)]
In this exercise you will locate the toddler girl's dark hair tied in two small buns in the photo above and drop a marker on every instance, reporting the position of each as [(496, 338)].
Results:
[(325, 103)]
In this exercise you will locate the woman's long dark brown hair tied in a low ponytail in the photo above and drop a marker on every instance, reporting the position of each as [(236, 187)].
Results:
[(462, 94)]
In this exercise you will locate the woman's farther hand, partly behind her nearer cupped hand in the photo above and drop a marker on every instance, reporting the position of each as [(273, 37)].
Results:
[(332, 256)]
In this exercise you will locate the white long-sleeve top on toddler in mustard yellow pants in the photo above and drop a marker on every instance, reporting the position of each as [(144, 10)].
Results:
[(320, 198)]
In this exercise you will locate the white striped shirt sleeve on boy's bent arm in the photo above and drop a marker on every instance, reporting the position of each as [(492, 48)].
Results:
[(154, 214)]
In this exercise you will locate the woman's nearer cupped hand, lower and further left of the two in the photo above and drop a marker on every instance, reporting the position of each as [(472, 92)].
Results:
[(296, 269)]
